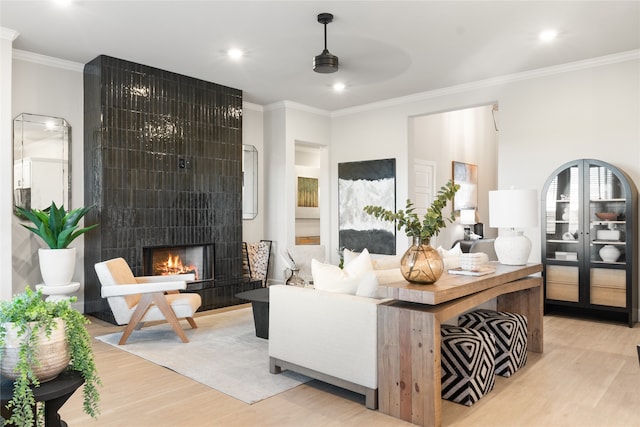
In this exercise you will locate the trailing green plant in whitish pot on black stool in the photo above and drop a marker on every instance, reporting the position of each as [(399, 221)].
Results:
[(28, 322)]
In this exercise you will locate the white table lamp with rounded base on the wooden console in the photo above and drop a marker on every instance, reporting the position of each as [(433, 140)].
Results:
[(513, 209)]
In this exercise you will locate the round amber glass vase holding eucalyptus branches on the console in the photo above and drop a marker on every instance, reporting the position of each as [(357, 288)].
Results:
[(421, 263)]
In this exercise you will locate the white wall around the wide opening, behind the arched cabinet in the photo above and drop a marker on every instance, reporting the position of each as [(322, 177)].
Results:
[(589, 109)]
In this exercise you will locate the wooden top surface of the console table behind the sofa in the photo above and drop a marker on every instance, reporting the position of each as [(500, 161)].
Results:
[(450, 286)]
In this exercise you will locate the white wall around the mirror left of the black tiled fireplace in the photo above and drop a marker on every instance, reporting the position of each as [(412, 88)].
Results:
[(48, 90)]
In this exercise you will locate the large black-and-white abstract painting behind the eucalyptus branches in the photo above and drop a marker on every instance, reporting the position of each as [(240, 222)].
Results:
[(371, 182)]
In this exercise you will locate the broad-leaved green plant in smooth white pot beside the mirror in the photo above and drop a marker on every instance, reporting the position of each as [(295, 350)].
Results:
[(58, 228)]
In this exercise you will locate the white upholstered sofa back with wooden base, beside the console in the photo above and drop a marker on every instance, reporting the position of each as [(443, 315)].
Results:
[(327, 336)]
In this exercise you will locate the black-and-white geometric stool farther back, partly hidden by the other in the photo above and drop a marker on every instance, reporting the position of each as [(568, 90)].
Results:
[(510, 331)]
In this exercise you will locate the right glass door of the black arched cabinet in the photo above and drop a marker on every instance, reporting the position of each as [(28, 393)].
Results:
[(607, 231)]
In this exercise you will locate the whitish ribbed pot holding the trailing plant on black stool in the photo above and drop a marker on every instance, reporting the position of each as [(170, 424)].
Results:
[(52, 353)]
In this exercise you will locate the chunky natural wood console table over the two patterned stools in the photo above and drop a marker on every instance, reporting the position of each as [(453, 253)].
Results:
[(409, 383)]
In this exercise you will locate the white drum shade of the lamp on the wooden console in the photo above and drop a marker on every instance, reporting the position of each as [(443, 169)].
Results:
[(513, 208)]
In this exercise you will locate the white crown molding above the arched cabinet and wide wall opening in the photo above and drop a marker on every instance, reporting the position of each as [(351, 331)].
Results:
[(495, 81)]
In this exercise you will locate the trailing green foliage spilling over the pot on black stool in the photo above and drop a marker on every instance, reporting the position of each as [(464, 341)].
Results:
[(30, 314)]
